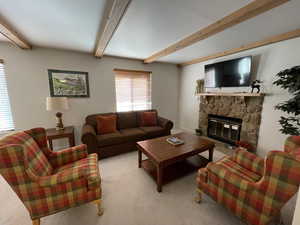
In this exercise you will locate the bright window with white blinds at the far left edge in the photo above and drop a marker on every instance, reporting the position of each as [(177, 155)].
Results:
[(6, 121)]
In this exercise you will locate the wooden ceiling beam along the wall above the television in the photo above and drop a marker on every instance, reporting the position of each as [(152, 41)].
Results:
[(271, 40)]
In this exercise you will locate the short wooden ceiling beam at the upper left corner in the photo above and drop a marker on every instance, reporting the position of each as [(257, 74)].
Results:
[(12, 35)]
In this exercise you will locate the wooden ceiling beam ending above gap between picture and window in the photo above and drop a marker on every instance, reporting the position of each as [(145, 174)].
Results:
[(114, 12)]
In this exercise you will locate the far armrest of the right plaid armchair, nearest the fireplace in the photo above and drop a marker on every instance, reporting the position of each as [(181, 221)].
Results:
[(249, 161)]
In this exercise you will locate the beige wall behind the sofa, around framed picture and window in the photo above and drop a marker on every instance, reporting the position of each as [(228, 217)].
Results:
[(28, 85)]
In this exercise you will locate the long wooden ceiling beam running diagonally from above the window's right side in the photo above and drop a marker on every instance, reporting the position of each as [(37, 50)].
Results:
[(251, 10)]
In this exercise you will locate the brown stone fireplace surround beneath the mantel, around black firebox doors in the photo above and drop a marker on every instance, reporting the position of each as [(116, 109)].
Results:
[(247, 109)]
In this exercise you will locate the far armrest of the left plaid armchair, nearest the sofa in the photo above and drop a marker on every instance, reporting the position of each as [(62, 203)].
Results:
[(68, 155)]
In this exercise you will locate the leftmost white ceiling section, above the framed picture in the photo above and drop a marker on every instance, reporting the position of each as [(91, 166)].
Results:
[(66, 24)]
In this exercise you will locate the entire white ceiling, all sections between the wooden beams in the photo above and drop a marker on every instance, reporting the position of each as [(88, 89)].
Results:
[(147, 27)]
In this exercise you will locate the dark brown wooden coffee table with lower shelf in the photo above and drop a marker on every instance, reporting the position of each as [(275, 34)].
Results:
[(166, 162)]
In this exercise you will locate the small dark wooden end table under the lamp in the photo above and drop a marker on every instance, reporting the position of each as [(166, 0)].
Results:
[(68, 132)]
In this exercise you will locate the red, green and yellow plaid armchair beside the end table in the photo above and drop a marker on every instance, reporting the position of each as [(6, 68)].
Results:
[(48, 182)]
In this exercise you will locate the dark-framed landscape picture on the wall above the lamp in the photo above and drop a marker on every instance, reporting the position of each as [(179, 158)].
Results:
[(72, 84)]
